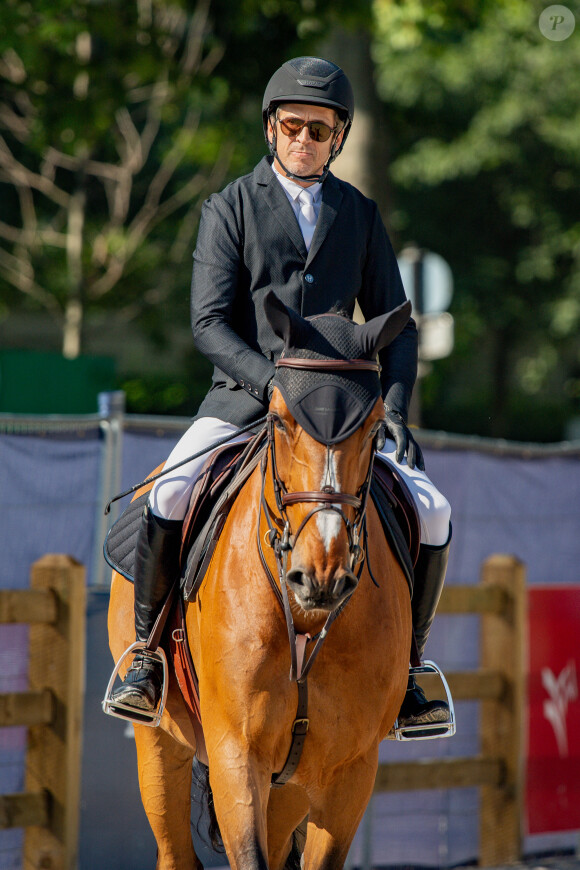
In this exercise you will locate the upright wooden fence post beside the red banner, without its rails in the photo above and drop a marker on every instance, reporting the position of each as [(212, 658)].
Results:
[(503, 651)]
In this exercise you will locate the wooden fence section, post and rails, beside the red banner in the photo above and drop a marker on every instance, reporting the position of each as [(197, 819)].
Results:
[(499, 685)]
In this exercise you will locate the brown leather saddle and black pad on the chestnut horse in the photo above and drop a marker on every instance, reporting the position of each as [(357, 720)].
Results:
[(222, 477)]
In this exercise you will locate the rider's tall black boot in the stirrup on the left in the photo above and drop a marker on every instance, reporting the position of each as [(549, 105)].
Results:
[(156, 570)]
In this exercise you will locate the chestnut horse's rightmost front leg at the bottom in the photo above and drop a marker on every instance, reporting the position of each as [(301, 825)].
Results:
[(336, 811)]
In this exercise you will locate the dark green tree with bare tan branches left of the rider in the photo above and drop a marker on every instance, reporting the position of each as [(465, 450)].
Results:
[(117, 119)]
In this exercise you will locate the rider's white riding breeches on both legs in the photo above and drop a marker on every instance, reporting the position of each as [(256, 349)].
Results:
[(170, 494)]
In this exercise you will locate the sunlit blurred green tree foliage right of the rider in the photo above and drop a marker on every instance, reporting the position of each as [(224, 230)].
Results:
[(484, 122)]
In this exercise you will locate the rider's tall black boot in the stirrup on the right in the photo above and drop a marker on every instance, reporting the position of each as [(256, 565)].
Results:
[(429, 578)]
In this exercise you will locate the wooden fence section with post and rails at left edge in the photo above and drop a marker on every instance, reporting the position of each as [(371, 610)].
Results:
[(51, 709)]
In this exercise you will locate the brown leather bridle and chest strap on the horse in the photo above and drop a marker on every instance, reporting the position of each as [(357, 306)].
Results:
[(283, 542)]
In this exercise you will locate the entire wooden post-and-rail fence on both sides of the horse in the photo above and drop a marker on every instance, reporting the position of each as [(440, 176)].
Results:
[(51, 709)]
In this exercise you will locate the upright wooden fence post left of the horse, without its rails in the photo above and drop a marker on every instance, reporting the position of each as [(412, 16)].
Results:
[(53, 763)]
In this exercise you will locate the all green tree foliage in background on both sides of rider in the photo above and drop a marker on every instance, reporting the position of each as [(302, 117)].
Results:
[(118, 118)]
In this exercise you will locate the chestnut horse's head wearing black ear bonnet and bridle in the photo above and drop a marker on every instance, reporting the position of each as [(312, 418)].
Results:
[(325, 417)]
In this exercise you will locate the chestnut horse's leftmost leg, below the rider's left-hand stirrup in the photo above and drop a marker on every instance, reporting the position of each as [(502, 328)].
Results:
[(165, 781)]
